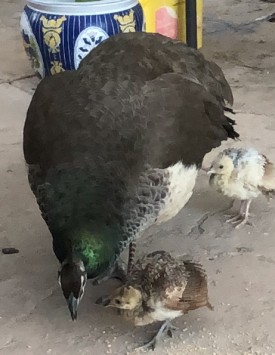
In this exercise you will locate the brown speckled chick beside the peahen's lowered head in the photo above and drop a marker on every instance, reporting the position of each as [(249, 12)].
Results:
[(160, 288)]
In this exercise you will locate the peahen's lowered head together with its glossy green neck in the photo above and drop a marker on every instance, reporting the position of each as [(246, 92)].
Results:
[(86, 251)]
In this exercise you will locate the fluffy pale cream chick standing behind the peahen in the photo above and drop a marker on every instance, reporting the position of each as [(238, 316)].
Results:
[(242, 174)]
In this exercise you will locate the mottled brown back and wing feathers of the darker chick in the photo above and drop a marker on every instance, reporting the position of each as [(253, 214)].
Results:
[(181, 285)]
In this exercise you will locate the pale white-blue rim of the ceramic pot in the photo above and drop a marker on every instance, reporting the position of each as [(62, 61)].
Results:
[(99, 7)]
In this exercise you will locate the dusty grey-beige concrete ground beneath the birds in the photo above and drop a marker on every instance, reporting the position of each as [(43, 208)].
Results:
[(33, 315)]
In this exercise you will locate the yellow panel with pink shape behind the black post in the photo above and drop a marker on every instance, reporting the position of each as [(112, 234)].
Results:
[(173, 25)]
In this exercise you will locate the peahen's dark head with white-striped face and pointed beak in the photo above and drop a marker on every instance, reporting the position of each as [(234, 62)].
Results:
[(72, 278)]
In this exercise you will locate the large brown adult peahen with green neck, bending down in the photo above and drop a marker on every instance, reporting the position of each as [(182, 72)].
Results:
[(115, 147)]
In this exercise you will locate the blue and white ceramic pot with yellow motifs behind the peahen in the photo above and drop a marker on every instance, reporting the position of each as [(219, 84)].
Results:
[(57, 35)]
